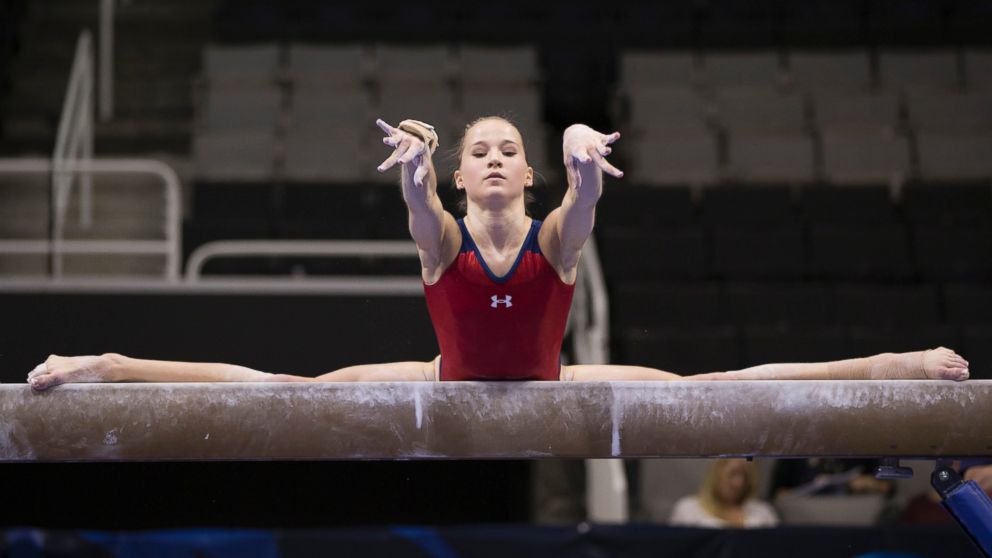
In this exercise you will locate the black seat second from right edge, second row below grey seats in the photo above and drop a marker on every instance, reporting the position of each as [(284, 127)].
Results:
[(848, 252)]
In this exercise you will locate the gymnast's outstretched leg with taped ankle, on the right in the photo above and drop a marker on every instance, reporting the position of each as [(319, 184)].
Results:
[(935, 364)]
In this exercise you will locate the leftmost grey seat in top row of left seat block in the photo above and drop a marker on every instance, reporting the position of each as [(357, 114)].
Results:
[(259, 63)]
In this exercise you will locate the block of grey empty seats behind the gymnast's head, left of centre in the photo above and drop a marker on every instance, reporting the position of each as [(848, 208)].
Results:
[(307, 112)]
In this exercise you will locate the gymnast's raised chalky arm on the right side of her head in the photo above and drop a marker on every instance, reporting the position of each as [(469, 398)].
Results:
[(568, 227)]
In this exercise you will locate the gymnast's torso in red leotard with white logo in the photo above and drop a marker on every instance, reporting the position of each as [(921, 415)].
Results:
[(506, 327)]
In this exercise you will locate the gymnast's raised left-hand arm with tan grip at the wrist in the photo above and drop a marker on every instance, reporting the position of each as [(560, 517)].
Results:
[(433, 229)]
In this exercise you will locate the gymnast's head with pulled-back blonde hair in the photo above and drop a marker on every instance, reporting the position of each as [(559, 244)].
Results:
[(492, 165)]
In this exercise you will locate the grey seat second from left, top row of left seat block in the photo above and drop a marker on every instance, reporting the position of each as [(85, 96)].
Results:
[(328, 66)]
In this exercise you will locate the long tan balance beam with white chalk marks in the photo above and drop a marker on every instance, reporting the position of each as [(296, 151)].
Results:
[(506, 420)]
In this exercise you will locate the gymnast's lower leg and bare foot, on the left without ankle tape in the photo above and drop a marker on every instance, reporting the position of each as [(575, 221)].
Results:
[(112, 367)]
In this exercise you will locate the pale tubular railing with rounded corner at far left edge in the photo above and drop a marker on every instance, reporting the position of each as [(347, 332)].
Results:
[(57, 246)]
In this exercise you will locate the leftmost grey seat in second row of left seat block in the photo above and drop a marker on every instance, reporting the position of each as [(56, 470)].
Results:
[(230, 108)]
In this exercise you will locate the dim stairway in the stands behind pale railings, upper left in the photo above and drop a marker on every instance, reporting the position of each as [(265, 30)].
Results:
[(157, 54)]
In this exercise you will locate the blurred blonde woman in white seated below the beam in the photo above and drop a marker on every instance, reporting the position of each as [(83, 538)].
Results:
[(726, 499)]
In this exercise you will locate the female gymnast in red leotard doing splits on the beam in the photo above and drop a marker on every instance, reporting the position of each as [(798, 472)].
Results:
[(498, 284)]
